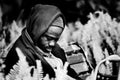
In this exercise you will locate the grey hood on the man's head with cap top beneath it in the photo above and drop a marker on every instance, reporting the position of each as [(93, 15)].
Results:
[(41, 17)]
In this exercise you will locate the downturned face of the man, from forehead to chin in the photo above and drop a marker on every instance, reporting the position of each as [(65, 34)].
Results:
[(49, 39)]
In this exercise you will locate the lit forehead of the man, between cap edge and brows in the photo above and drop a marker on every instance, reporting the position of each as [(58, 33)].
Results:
[(55, 31)]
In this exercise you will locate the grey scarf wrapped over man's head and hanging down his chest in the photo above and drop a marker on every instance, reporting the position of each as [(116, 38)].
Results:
[(40, 19)]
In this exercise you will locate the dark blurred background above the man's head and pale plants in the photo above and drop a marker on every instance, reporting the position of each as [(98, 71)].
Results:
[(72, 9)]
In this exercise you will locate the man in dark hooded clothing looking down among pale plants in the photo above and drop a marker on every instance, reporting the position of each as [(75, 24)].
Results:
[(38, 40)]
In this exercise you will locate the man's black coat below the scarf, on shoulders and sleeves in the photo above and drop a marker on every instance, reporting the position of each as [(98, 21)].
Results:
[(12, 58)]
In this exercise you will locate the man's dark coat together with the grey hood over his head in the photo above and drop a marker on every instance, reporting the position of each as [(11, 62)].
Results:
[(39, 21)]
